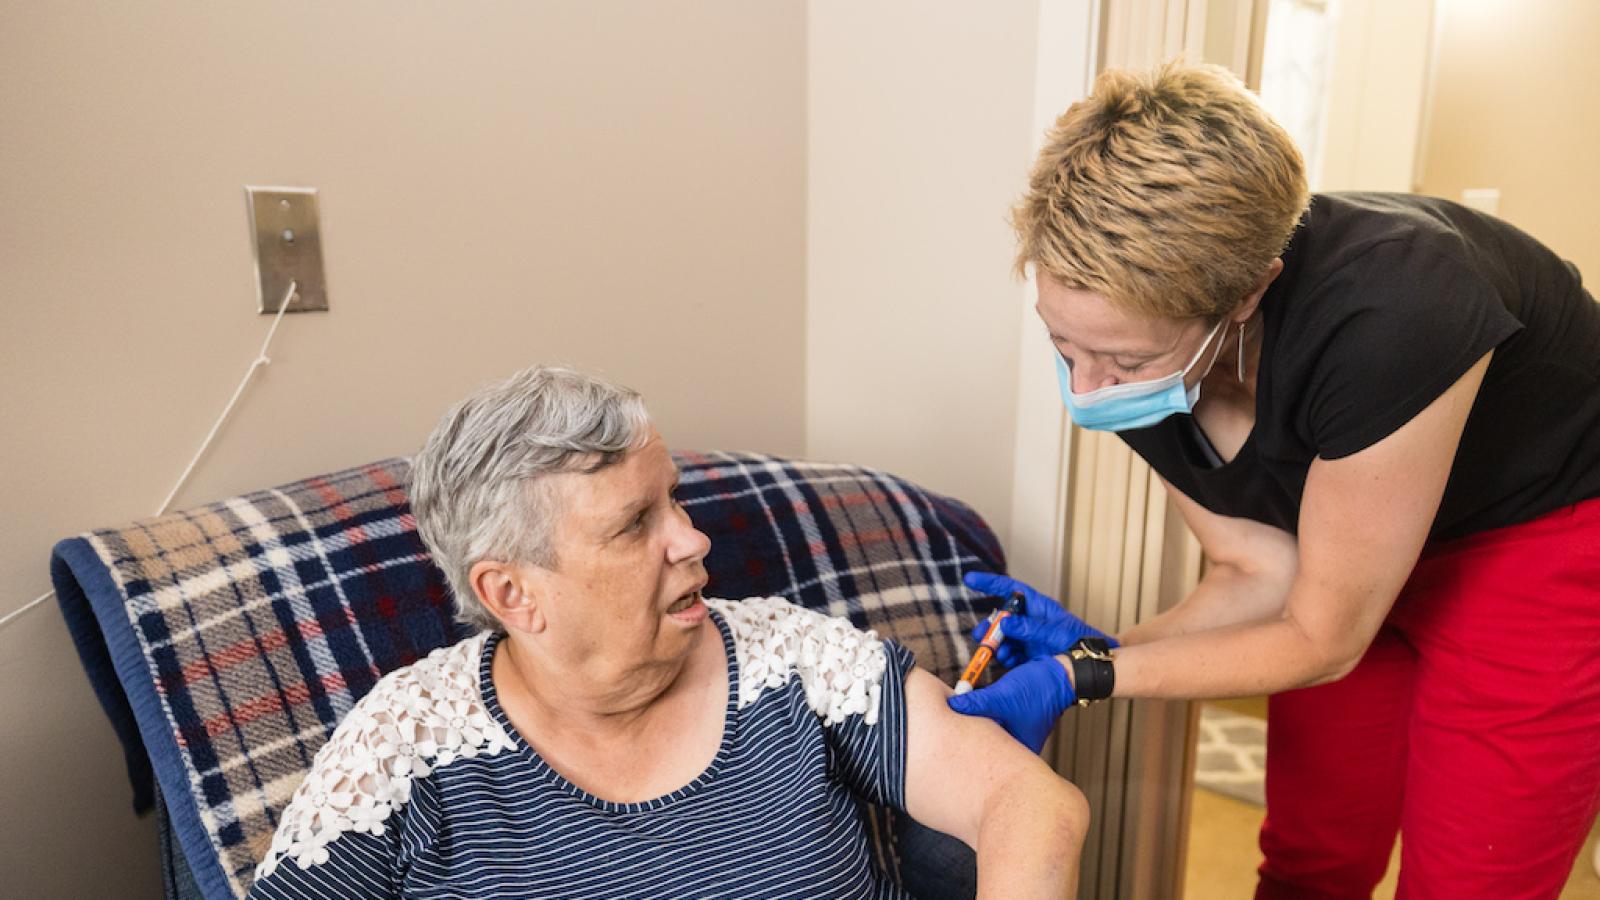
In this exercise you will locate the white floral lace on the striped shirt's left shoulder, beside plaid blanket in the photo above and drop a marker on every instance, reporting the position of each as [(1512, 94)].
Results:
[(414, 721)]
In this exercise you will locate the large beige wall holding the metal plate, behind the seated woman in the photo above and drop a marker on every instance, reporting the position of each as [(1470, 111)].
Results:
[(614, 185)]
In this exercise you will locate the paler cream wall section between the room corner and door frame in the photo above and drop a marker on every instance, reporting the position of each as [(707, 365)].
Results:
[(921, 132)]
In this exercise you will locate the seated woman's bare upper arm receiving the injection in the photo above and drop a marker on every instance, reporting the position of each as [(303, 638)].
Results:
[(954, 765)]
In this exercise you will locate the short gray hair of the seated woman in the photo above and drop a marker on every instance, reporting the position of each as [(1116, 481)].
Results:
[(476, 486)]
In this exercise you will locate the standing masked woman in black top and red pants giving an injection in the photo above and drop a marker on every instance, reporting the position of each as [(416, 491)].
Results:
[(1382, 417)]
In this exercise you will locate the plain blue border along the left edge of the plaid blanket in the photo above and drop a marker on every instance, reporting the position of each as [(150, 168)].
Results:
[(103, 635)]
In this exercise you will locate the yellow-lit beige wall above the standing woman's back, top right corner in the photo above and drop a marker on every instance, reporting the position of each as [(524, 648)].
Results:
[(1516, 106)]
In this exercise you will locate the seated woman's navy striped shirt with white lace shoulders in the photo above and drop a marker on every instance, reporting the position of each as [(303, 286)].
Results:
[(426, 790)]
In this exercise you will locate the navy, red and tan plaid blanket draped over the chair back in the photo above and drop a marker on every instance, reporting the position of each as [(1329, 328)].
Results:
[(228, 641)]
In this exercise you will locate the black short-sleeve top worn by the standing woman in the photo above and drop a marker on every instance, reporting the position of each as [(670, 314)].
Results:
[(1383, 303)]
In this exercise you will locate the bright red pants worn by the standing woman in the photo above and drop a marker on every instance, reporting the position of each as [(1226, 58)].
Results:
[(1473, 726)]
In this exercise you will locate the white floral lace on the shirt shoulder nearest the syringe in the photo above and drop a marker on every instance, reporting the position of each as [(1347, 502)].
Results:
[(842, 669)]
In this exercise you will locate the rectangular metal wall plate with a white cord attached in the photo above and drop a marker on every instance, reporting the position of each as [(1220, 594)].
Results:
[(287, 233)]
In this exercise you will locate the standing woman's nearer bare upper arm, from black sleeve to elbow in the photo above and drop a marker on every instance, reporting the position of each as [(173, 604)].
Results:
[(1366, 518)]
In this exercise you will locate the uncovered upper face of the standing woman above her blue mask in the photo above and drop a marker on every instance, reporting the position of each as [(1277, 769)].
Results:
[(1106, 345)]
